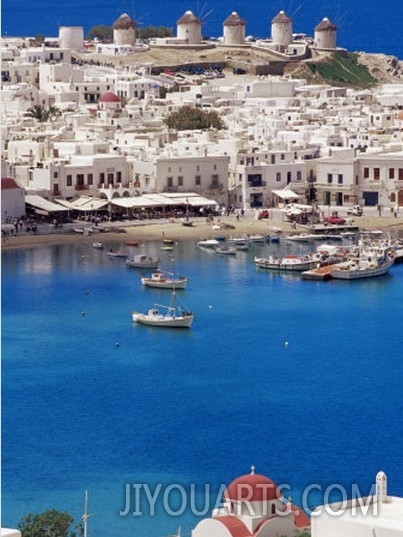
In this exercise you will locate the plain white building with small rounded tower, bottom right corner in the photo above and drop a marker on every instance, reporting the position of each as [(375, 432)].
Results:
[(379, 515)]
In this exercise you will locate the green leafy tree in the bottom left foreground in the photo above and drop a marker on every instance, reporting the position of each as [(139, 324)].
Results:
[(51, 523)]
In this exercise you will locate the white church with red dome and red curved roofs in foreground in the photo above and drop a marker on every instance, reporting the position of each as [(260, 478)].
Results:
[(253, 507)]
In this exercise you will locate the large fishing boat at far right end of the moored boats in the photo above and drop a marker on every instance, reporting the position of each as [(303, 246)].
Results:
[(369, 263)]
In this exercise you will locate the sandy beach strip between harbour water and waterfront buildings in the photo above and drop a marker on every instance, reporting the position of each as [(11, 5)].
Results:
[(154, 230)]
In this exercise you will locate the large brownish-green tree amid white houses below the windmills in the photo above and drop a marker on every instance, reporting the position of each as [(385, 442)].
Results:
[(192, 118)]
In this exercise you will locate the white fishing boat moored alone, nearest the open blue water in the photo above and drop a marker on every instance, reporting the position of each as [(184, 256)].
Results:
[(165, 316)]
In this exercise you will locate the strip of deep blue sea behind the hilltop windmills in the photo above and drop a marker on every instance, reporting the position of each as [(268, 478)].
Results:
[(362, 26)]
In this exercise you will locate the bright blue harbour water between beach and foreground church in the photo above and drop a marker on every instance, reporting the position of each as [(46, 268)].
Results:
[(301, 379)]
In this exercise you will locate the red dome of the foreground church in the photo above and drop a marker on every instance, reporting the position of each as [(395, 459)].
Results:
[(254, 488)]
